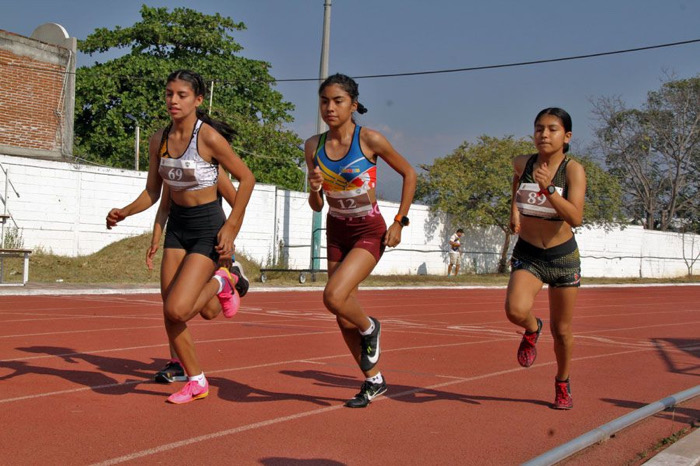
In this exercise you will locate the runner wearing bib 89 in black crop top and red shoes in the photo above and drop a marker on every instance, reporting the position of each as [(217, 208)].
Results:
[(548, 197)]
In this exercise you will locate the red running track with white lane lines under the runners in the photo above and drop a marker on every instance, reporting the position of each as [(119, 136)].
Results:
[(75, 380)]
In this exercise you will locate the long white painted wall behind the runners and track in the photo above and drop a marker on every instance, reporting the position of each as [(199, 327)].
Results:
[(61, 208)]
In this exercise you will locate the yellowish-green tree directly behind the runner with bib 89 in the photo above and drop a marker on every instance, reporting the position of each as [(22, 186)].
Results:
[(474, 184)]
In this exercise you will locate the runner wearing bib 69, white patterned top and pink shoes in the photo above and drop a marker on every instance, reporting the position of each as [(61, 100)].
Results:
[(186, 156)]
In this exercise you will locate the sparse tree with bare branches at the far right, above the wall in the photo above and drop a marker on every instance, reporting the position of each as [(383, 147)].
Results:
[(655, 152)]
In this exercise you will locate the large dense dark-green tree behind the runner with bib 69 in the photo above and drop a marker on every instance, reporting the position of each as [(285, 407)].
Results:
[(134, 84)]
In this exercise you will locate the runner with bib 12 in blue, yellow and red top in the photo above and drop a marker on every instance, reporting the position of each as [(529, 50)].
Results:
[(342, 168)]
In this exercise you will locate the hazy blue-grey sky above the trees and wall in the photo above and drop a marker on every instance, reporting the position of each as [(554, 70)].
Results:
[(429, 116)]
